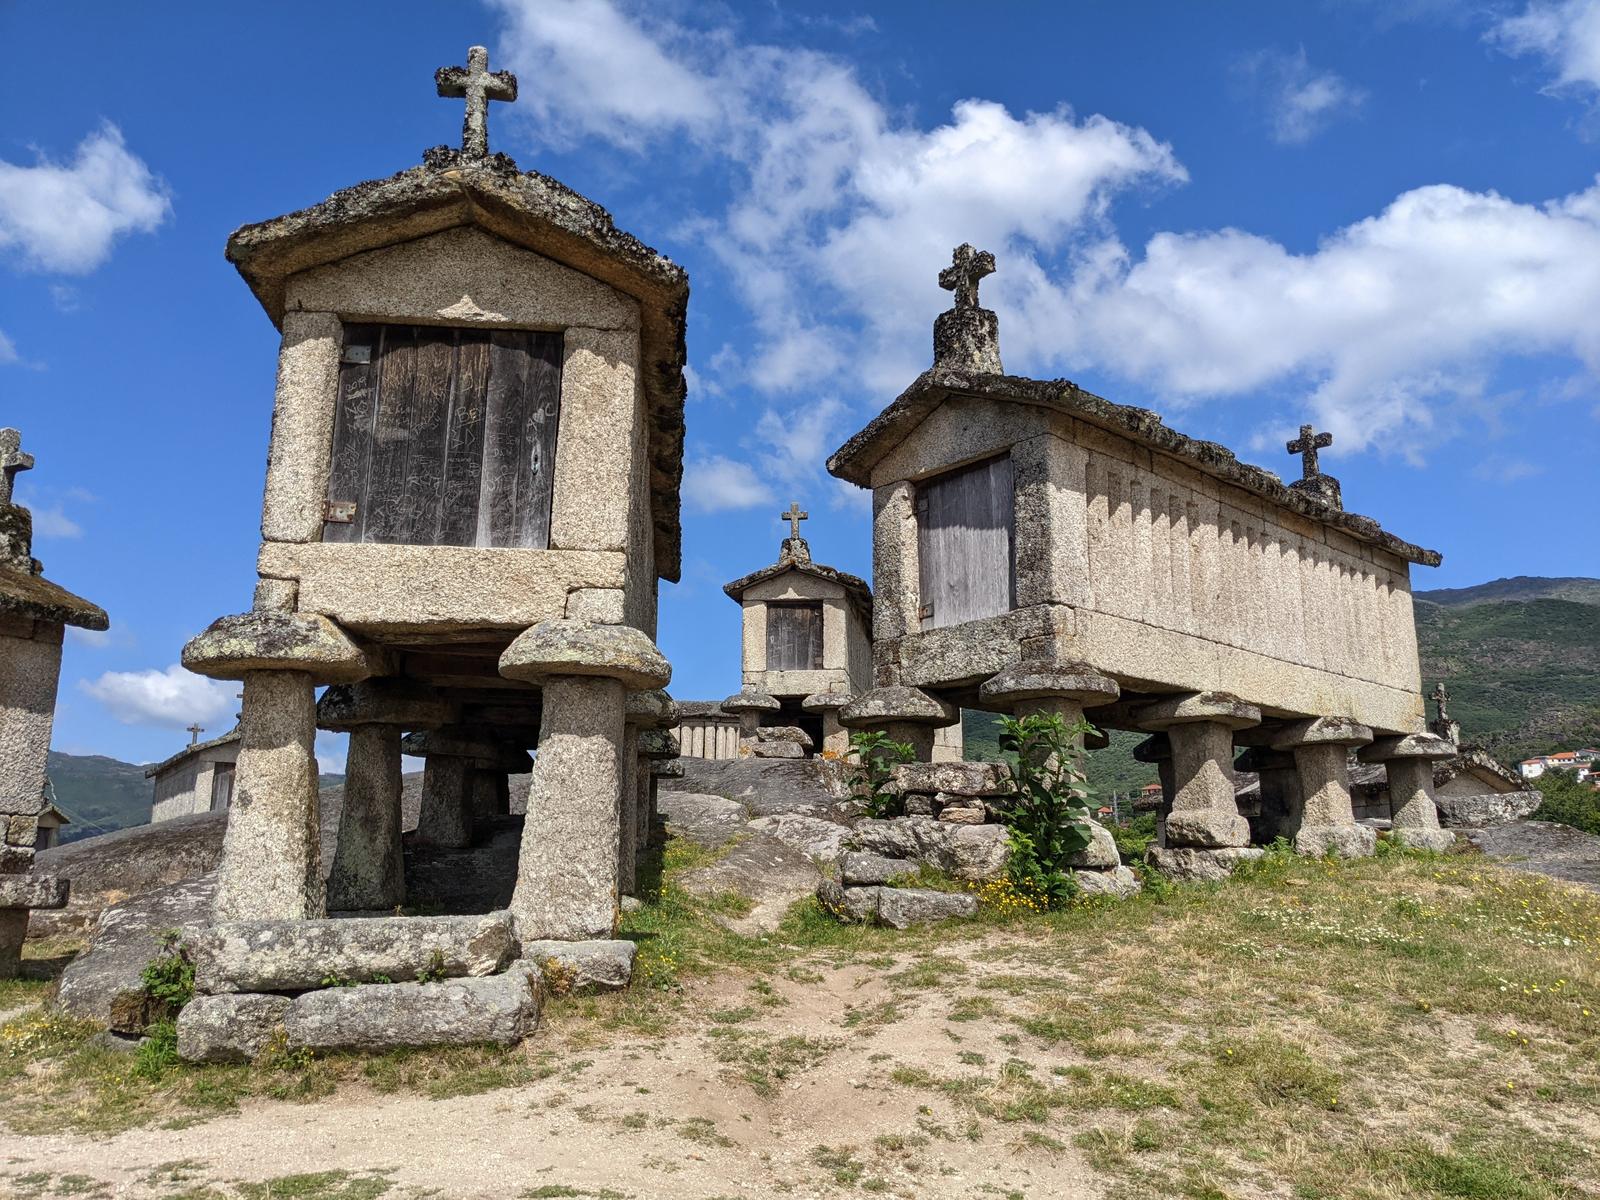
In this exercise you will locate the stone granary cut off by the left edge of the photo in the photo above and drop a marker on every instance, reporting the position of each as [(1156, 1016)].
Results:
[(34, 617)]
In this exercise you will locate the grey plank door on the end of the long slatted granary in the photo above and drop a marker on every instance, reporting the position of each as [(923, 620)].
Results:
[(964, 545)]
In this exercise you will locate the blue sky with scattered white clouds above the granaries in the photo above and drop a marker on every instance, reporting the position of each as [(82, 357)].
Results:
[(1378, 217)]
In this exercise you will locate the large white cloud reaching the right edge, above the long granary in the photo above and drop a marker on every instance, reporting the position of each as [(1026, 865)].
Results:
[(1385, 321)]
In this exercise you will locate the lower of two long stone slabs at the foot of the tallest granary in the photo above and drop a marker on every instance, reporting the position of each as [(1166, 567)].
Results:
[(500, 1010)]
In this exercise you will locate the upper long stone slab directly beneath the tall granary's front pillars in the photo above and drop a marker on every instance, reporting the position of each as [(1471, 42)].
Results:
[(274, 956)]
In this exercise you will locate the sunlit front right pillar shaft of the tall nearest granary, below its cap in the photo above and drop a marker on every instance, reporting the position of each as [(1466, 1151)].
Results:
[(567, 876)]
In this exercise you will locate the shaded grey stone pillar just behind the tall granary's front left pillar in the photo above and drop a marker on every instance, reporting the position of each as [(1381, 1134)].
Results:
[(369, 866)]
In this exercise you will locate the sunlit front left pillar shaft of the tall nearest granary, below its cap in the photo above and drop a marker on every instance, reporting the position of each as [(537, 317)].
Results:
[(271, 854)]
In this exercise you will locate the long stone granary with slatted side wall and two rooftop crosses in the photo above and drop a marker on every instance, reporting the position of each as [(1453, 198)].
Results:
[(1041, 548)]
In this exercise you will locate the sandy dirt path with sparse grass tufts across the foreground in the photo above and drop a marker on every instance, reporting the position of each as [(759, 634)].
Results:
[(737, 1105)]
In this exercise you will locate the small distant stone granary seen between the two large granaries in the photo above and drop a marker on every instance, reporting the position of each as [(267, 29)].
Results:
[(807, 646)]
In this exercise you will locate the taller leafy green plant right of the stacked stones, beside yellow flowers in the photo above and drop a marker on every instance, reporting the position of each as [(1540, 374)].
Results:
[(1049, 817)]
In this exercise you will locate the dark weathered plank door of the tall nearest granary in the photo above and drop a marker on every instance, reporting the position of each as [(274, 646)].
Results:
[(446, 438)]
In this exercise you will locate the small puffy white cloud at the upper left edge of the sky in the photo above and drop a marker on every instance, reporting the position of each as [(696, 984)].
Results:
[(65, 217)]
